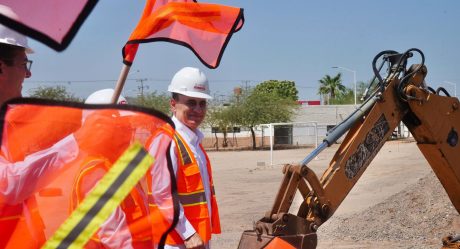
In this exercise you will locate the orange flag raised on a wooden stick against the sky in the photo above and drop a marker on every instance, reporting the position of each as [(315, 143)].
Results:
[(202, 27)]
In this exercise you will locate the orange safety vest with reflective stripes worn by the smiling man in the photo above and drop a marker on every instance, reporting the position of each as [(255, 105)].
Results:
[(192, 197)]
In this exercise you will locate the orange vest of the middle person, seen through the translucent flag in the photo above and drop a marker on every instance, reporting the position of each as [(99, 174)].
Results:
[(133, 205)]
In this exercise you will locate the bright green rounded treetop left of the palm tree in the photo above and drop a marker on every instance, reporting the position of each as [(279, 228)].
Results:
[(284, 88)]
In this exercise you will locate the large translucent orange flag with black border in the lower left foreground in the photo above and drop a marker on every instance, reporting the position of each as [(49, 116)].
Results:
[(54, 154)]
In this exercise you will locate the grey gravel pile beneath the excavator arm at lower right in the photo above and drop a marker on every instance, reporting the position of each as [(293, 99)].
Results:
[(417, 217)]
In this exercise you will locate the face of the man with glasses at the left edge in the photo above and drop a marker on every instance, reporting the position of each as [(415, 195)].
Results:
[(12, 76)]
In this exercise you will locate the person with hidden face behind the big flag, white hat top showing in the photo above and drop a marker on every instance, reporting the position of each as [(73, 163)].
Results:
[(129, 225)]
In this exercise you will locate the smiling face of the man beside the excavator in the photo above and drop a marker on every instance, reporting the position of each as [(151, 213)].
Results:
[(190, 111)]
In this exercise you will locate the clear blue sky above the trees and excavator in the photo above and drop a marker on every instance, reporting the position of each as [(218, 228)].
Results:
[(284, 40)]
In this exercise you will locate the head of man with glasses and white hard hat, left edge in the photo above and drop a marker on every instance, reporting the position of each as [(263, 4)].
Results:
[(14, 64)]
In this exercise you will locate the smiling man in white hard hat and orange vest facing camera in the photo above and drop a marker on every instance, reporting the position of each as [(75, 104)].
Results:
[(199, 216)]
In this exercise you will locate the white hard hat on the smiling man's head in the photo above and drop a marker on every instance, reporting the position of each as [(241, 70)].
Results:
[(190, 81)]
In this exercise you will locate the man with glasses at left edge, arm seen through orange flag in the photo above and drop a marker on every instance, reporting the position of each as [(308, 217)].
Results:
[(20, 179)]
